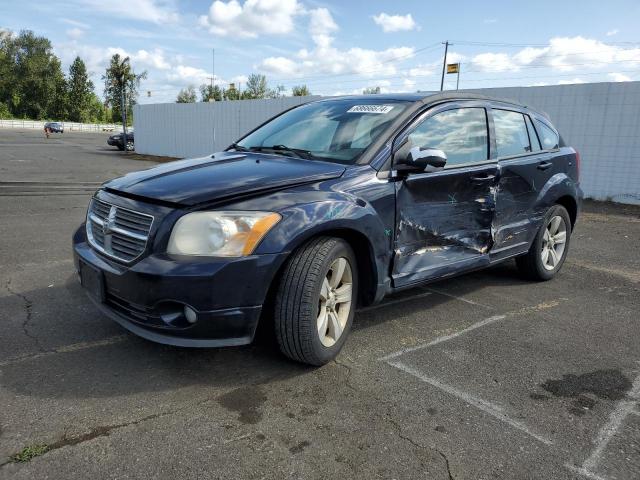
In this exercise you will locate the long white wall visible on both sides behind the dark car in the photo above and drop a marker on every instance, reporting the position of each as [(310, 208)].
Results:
[(601, 120)]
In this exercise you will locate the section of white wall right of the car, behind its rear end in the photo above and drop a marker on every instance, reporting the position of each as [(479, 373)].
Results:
[(602, 122)]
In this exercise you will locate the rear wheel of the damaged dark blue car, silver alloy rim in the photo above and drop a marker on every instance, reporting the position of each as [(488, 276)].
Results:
[(550, 247)]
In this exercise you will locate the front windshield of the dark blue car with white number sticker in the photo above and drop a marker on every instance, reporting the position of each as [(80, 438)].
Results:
[(334, 130)]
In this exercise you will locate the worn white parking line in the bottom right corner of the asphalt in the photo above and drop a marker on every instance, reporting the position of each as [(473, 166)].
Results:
[(623, 409)]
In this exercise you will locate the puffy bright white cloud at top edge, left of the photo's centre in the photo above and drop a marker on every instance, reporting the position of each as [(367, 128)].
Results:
[(252, 18)]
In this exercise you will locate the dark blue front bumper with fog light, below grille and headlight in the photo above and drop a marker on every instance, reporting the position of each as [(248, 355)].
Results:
[(226, 295)]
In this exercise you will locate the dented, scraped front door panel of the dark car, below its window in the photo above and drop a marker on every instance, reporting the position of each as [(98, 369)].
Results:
[(443, 219)]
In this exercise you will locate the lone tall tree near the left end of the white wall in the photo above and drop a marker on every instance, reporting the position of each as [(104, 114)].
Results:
[(119, 79)]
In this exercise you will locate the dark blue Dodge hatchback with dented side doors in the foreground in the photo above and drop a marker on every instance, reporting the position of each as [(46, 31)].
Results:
[(329, 205)]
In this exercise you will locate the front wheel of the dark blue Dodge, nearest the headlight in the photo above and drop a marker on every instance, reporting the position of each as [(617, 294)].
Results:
[(316, 301)]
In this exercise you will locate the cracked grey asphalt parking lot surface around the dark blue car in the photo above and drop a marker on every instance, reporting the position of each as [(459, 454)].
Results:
[(479, 377)]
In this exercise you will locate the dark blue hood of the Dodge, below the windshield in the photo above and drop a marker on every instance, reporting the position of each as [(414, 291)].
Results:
[(221, 176)]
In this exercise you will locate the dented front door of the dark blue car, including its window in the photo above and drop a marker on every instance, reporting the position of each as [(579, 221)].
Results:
[(444, 215)]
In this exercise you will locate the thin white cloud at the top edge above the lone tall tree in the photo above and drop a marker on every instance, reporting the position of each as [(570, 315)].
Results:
[(154, 11)]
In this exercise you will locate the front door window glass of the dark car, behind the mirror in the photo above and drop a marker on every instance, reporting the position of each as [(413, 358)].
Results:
[(460, 133)]
